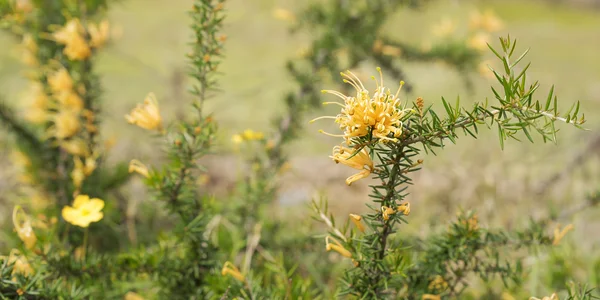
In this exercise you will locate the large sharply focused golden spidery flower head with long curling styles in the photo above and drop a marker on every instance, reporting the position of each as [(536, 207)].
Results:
[(363, 115)]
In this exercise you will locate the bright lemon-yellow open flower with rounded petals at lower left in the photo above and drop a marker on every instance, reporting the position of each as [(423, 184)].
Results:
[(84, 211)]
